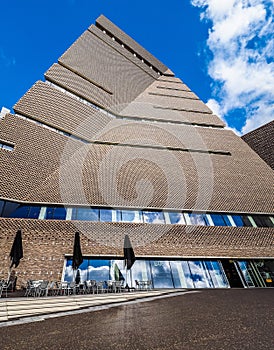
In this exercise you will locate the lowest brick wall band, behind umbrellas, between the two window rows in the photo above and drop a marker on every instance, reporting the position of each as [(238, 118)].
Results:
[(46, 243)]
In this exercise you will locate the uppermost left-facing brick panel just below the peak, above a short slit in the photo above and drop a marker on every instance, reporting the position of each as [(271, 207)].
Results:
[(106, 67)]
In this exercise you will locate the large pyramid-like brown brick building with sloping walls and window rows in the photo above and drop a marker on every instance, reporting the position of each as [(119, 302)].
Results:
[(110, 143)]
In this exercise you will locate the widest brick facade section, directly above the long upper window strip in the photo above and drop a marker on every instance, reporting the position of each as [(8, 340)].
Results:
[(139, 177)]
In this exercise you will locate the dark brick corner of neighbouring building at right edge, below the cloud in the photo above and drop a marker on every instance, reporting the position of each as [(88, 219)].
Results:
[(261, 140)]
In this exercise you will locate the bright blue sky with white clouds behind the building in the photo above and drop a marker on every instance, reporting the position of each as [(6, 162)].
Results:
[(222, 49)]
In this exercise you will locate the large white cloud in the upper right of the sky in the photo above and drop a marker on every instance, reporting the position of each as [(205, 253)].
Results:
[(242, 68)]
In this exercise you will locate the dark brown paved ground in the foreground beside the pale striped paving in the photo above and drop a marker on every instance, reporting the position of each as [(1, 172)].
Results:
[(207, 319)]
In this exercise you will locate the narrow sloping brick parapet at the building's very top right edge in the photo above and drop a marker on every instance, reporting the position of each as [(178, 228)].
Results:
[(105, 24)]
